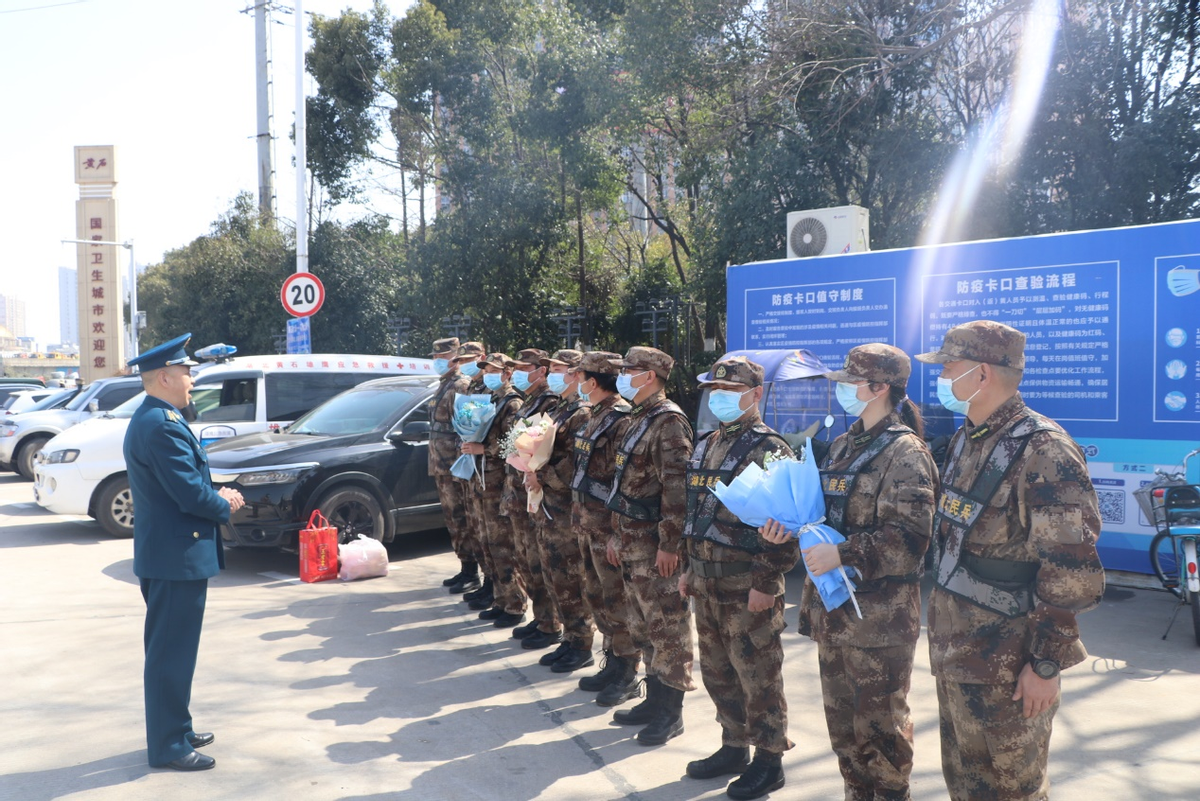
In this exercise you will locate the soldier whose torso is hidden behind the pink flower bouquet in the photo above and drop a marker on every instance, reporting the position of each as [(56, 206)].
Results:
[(545, 629)]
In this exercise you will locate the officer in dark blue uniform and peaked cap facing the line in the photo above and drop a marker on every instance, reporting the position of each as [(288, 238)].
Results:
[(177, 549)]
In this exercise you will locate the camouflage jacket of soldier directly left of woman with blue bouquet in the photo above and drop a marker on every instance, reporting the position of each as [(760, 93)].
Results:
[(767, 569)]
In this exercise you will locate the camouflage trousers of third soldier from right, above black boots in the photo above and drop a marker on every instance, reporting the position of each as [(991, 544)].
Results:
[(742, 667)]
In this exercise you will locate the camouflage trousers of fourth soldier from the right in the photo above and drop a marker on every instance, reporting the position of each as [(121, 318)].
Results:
[(661, 623)]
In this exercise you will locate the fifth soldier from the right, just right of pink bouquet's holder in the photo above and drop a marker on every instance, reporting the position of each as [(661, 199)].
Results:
[(604, 586)]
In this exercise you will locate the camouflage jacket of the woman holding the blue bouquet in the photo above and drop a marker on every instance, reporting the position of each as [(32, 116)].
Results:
[(890, 519)]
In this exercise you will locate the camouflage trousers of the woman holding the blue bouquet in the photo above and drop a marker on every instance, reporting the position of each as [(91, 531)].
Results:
[(866, 696)]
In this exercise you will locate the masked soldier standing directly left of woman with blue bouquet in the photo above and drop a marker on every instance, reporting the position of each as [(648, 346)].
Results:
[(736, 581)]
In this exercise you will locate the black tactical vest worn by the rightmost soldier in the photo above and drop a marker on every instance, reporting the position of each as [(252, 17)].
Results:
[(1001, 586)]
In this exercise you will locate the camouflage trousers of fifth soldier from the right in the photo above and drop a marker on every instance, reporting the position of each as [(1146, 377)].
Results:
[(604, 586)]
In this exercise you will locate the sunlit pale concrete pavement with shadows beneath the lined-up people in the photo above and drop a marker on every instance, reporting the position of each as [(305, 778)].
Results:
[(391, 689)]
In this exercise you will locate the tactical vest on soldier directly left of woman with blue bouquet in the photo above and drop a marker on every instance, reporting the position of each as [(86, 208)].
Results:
[(704, 505)]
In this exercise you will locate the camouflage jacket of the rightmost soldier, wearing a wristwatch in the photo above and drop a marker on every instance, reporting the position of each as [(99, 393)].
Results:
[(1046, 513)]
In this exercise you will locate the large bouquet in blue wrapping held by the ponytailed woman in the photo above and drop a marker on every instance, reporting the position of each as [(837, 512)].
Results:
[(789, 491)]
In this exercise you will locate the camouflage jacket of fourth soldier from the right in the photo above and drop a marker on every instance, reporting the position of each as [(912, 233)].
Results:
[(657, 469)]
